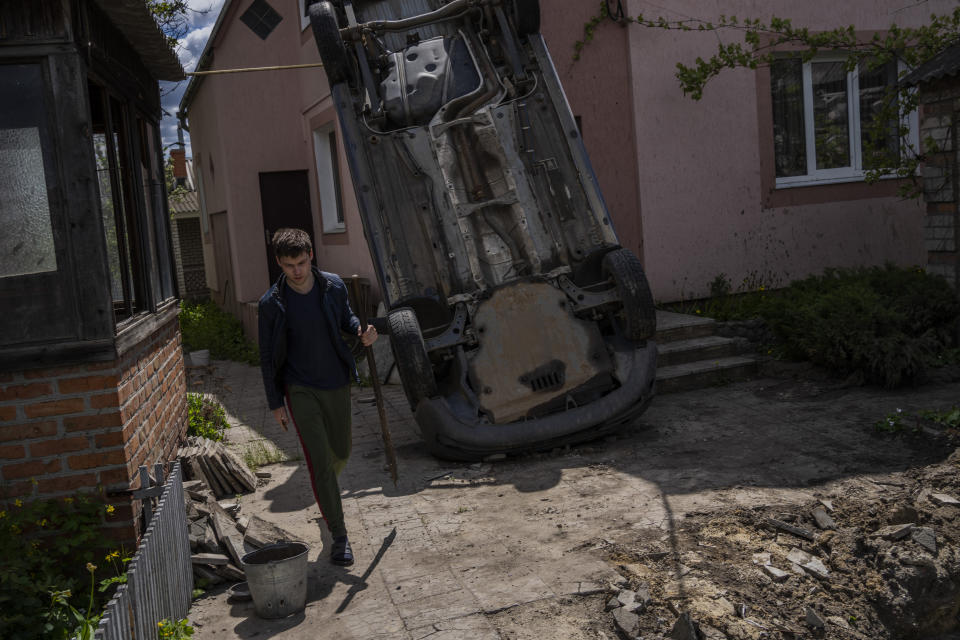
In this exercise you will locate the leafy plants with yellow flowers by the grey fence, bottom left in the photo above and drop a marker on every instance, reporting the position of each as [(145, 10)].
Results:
[(51, 550)]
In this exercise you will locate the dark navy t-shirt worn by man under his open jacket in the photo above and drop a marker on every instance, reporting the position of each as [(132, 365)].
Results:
[(312, 360)]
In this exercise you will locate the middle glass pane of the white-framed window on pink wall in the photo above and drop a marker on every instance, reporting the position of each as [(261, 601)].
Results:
[(830, 114)]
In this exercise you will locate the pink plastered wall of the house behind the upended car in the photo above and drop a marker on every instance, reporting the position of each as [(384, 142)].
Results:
[(688, 183)]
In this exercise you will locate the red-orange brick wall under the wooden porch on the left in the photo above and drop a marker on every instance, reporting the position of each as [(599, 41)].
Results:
[(92, 425)]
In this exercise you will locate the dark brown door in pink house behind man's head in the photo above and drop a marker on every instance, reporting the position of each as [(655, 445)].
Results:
[(285, 202)]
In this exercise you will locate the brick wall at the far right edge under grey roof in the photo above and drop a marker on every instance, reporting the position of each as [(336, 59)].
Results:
[(940, 111)]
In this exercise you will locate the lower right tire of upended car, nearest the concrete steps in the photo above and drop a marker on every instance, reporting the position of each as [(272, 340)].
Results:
[(637, 320)]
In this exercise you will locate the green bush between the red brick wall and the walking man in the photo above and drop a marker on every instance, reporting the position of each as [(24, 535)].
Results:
[(204, 325)]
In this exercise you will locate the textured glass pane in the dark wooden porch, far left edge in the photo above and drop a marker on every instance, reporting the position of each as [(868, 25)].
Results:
[(26, 234)]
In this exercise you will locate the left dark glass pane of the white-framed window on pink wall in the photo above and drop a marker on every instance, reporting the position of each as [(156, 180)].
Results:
[(789, 139)]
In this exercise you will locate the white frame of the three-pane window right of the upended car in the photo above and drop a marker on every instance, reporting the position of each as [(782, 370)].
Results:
[(855, 172)]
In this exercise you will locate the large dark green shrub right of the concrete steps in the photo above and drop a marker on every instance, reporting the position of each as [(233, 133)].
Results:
[(885, 325)]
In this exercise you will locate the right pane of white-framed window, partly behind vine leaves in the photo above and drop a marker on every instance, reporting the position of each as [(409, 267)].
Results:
[(879, 117)]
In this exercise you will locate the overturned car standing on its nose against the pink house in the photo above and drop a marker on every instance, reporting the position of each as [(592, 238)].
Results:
[(516, 319)]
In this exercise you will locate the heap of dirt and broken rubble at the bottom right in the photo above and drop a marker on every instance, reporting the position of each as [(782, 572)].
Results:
[(868, 560)]
